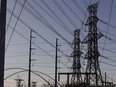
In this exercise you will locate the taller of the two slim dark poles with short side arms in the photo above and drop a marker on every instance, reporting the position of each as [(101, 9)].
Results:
[(29, 72)]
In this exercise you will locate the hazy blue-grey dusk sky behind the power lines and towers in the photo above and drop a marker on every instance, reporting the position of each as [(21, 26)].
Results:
[(50, 21)]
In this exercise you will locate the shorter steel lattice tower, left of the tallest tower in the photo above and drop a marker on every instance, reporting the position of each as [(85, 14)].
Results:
[(76, 78)]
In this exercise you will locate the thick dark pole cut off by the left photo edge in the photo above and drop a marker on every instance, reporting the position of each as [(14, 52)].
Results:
[(3, 4)]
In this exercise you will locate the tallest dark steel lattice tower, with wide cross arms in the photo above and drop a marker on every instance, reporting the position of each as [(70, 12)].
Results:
[(93, 68)]
